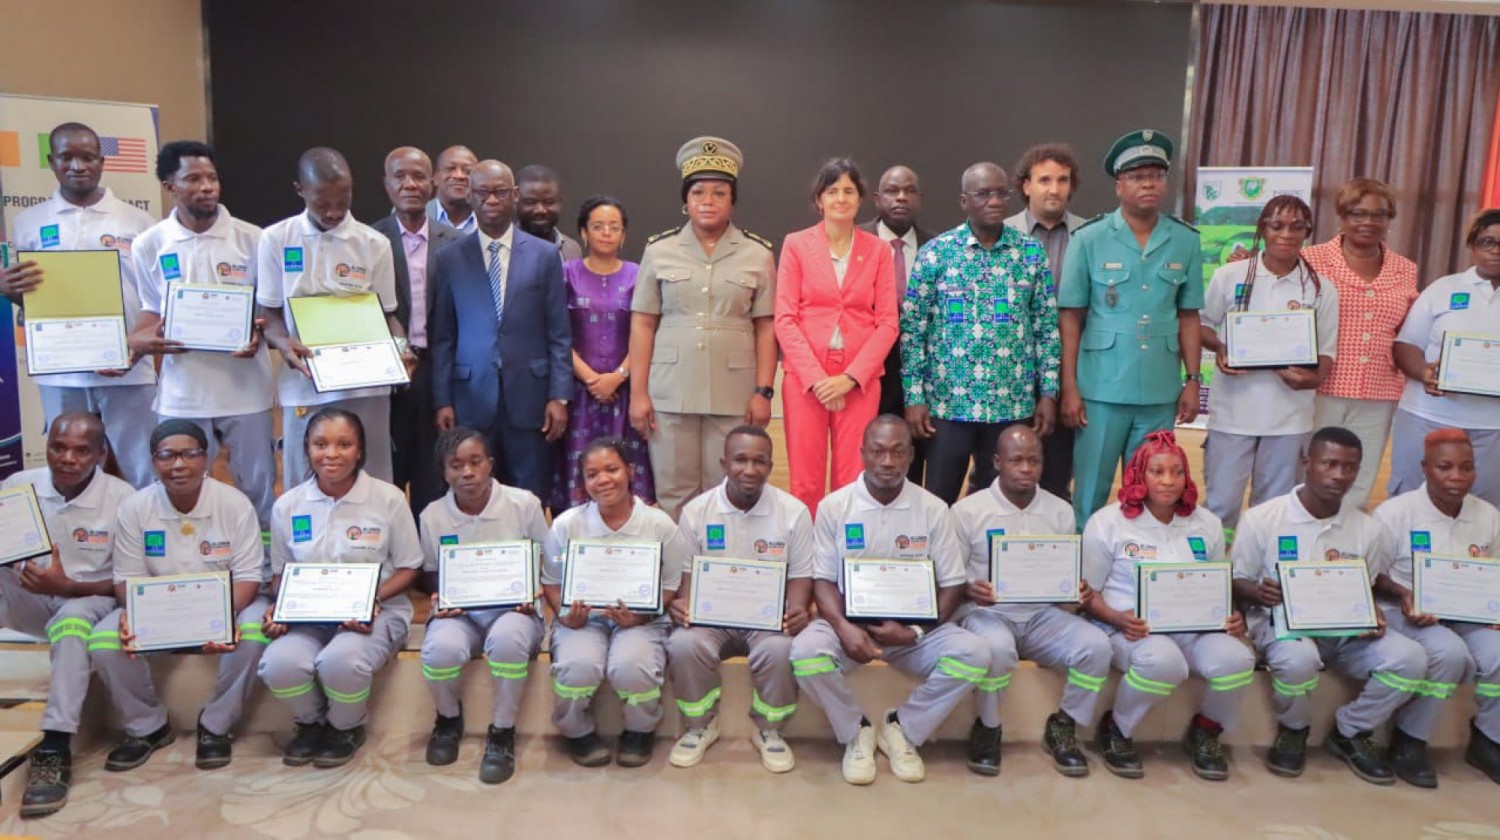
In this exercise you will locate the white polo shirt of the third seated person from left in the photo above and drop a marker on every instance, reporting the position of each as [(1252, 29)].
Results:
[(371, 524)]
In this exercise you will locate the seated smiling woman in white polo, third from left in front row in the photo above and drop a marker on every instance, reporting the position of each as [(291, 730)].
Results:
[(340, 515)]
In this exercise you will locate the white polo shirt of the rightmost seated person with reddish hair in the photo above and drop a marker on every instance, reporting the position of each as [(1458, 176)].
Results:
[(1415, 524)]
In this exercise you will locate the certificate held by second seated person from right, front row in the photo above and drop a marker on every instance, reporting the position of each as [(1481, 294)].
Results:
[(1331, 599)]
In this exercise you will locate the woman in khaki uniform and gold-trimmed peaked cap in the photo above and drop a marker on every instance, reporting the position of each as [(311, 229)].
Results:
[(703, 343)]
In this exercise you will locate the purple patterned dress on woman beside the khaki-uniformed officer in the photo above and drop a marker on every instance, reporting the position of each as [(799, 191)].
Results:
[(599, 311)]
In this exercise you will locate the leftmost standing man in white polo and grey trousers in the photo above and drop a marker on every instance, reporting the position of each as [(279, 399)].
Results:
[(86, 217)]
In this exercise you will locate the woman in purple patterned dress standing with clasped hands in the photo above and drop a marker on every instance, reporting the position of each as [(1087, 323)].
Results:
[(599, 290)]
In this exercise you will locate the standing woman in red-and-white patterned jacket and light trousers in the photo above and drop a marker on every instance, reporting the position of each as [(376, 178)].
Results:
[(1376, 289)]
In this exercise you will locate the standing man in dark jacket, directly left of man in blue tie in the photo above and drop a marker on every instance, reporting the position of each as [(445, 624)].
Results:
[(415, 242)]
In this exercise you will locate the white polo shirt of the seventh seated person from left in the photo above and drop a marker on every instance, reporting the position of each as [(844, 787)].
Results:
[(916, 526)]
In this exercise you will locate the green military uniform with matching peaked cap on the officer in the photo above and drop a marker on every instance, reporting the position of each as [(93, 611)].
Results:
[(1129, 361)]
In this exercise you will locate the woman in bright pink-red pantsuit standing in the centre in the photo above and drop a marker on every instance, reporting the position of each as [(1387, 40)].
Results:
[(836, 319)]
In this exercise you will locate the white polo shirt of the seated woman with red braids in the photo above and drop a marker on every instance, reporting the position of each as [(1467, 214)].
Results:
[(1114, 545)]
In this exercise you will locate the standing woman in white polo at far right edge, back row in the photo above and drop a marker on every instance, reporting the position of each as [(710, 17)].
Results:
[(1468, 302)]
